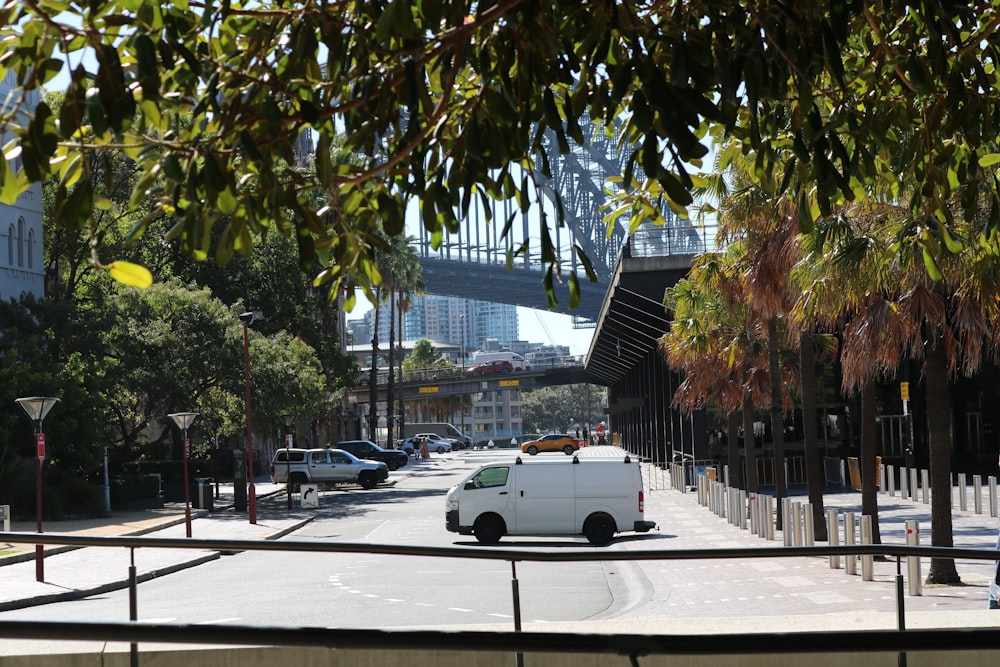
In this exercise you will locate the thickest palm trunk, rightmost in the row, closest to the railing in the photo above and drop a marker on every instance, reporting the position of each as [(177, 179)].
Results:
[(939, 435)]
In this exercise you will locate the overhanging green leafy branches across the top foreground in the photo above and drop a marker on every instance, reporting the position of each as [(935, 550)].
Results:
[(448, 100)]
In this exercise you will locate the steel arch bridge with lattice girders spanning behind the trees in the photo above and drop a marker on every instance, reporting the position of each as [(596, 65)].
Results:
[(472, 263)]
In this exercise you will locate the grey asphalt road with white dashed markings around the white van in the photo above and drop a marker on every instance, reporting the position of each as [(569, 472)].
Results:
[(376, 591)]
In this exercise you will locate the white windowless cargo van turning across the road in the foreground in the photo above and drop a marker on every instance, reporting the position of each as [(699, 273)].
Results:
[(593, 497)]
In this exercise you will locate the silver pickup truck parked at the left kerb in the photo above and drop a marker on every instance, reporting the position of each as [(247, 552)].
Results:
[(325, 466)]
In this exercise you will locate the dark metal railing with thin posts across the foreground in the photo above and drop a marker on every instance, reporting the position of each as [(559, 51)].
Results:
[(895, 641)]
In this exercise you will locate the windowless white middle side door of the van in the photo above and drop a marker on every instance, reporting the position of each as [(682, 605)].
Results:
[(543, 499)]
